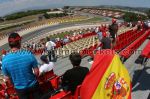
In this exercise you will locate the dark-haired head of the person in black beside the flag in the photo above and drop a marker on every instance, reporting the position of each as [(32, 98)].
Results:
[(75, 58)]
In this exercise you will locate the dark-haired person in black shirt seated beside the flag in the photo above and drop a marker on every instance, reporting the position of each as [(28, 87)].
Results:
[(75, 76)]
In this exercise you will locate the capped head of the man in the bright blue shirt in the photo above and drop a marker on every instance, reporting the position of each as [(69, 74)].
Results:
[(14, 40)]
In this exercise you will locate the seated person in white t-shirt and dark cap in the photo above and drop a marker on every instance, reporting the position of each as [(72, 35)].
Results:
[(47, 66)]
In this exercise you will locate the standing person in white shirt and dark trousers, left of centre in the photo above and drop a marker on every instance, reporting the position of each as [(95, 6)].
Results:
[(50, 46)]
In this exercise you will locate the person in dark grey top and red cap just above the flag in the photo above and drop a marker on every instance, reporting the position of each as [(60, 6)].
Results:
[(106, 42)]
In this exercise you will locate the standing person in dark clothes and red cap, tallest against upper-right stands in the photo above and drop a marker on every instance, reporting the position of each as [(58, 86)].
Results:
[(113, 29)]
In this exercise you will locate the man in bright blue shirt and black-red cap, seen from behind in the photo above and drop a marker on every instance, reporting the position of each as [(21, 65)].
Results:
[(20, 67)]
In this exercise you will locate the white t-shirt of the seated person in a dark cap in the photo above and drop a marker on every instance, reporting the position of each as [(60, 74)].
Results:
[(46, 67)]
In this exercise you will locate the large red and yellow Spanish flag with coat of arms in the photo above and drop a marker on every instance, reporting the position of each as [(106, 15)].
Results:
[(107, 79)]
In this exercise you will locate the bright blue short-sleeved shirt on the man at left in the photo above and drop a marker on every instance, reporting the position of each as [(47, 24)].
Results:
[(18, 66)]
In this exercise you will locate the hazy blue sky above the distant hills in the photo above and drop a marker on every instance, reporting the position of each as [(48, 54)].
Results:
[(10, 6)]
